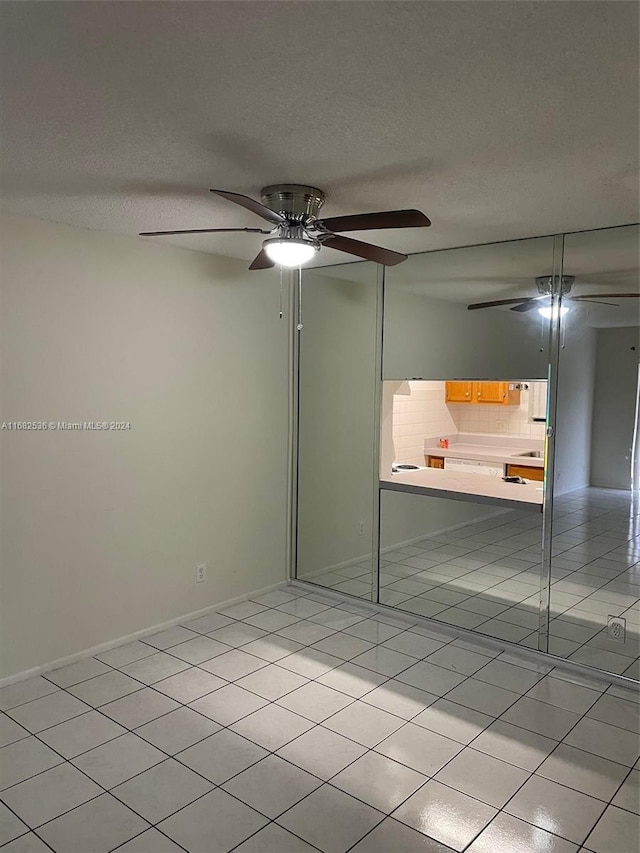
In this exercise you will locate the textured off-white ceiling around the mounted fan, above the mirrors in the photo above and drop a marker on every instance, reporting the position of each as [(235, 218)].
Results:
[(499, 120)]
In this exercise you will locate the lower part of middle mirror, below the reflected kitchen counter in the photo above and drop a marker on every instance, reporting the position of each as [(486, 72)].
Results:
[(471, 565)]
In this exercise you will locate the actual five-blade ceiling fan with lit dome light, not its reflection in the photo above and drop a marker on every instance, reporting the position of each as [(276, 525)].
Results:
[(297, 233)]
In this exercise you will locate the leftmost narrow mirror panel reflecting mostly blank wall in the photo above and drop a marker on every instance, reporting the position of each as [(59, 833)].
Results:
[(336, 427)]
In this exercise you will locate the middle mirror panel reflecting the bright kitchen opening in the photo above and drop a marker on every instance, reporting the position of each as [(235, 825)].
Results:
[(466, 361)]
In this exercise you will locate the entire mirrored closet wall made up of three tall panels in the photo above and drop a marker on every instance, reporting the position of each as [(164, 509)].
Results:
[(499, 568)]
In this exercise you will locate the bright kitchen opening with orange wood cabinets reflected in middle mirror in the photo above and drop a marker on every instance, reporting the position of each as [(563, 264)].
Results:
[(466, 437)]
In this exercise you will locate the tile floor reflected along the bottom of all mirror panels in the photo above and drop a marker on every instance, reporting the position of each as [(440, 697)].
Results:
[(486, 577)]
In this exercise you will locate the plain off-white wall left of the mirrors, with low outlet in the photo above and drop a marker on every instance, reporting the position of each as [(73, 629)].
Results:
[(101, 531)]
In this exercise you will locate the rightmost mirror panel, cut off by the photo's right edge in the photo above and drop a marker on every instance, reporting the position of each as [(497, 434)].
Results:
[(595, 569)]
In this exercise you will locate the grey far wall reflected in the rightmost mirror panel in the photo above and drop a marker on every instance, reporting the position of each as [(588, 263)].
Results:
[(616, 378)]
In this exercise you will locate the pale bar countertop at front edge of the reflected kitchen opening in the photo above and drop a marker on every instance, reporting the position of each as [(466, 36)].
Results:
[(465, 486)]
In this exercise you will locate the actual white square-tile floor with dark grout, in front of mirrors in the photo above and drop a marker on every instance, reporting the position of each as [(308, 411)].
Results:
[(342, 730)]
